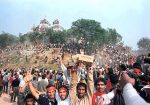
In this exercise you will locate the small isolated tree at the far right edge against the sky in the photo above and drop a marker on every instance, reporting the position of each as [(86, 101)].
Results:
[(144, 43)]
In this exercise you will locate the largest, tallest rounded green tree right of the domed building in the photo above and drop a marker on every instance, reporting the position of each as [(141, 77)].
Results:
[(87, 30)]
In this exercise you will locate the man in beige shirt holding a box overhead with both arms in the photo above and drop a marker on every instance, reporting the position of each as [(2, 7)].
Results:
[(81, 93)]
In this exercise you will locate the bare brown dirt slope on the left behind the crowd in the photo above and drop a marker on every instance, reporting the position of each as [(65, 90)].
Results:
[(33, 58)]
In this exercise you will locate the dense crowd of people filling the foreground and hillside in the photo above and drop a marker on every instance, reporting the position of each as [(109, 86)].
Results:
[(123, 80)]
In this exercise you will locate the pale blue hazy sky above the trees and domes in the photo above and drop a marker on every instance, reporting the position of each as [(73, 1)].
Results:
[(131, 18)]
